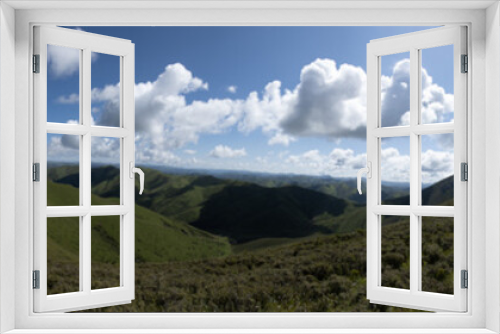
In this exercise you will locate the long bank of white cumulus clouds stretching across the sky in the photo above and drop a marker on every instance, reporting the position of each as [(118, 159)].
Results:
[(329, 102)]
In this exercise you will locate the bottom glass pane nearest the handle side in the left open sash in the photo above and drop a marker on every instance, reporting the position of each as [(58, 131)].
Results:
[(105, 252)]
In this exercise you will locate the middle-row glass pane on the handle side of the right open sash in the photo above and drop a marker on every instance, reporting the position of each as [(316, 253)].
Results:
[(395, 170)]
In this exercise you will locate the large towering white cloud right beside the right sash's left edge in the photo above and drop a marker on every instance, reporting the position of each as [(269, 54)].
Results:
[(329, 101)]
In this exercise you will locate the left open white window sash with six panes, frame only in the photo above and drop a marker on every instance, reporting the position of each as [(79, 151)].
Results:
[(86, 43)]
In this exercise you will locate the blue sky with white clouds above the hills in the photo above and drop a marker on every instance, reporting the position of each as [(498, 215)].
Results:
[(216, 71)]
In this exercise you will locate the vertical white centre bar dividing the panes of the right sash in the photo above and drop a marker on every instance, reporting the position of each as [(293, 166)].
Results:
[(414, 172)]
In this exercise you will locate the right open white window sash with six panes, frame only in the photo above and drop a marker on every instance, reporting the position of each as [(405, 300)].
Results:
[(414, 43)]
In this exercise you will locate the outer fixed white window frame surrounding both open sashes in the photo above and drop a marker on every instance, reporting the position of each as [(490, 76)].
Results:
[(484, 42)]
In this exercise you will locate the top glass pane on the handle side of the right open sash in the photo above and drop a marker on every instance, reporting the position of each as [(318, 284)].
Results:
[(395, 89)]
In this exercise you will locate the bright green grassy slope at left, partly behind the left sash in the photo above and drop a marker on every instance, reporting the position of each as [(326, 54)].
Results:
[(157, 239)]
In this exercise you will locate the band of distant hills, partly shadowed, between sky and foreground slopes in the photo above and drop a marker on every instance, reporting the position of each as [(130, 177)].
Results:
[(244, 211)]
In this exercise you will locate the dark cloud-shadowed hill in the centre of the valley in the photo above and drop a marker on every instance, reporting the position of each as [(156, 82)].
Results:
[(248, 212)]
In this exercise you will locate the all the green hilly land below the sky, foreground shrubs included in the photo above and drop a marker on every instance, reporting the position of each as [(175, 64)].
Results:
[(190, 258)]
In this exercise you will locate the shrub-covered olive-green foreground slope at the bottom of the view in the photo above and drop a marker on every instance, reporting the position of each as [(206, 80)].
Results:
[(320, 274)]
